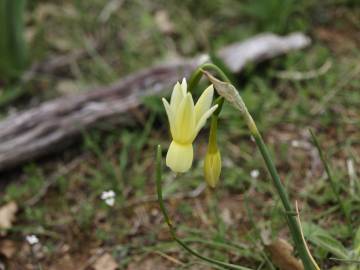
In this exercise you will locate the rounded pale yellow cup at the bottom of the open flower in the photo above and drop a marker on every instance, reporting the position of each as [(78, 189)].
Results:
[(179, 157)]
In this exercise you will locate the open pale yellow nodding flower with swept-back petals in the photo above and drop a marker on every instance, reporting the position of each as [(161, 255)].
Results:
[(186, 120)]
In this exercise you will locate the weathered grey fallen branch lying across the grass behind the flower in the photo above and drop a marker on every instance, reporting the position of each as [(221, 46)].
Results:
[(33, 133)]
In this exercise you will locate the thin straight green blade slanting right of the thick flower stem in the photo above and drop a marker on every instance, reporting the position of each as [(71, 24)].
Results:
[(332, 182)]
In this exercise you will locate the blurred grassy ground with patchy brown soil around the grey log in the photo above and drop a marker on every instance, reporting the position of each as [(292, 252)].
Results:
[(78, 230)]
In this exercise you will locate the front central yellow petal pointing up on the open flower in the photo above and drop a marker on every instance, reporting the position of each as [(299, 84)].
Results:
[(185, 121)]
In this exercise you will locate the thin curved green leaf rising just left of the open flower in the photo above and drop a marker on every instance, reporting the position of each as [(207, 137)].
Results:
[(171, 227)]
